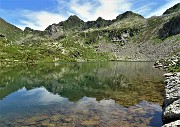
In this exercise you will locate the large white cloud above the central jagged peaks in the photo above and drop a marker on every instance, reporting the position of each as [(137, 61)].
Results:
[(107, 9)]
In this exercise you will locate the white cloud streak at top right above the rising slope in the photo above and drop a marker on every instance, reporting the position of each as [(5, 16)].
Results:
[(159, 11)]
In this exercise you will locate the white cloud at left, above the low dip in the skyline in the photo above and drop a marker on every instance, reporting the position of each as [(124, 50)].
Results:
[(39, 20)]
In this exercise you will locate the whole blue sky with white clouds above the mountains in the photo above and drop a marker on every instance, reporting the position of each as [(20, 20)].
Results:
[(38, 14)]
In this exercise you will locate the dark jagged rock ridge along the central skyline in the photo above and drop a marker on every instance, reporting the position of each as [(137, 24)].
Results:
[(74, 23)]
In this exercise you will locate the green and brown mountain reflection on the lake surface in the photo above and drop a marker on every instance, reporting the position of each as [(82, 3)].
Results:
[(121, 81)]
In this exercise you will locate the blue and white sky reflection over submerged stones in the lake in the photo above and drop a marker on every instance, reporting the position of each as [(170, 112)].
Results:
[(38, 107)]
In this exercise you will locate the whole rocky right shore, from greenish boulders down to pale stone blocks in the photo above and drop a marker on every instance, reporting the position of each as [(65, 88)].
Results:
[(171, 105)]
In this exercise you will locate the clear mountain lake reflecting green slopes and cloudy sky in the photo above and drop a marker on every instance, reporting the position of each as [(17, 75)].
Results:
[(102, 94)]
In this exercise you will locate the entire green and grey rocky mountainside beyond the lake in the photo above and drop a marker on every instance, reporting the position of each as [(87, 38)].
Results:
[(128, 37)]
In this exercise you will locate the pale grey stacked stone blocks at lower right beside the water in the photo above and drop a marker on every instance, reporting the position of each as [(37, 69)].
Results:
[(171, 106)]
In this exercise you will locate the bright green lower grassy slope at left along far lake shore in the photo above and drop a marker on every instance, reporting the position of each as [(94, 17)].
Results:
[(47, 51)]
